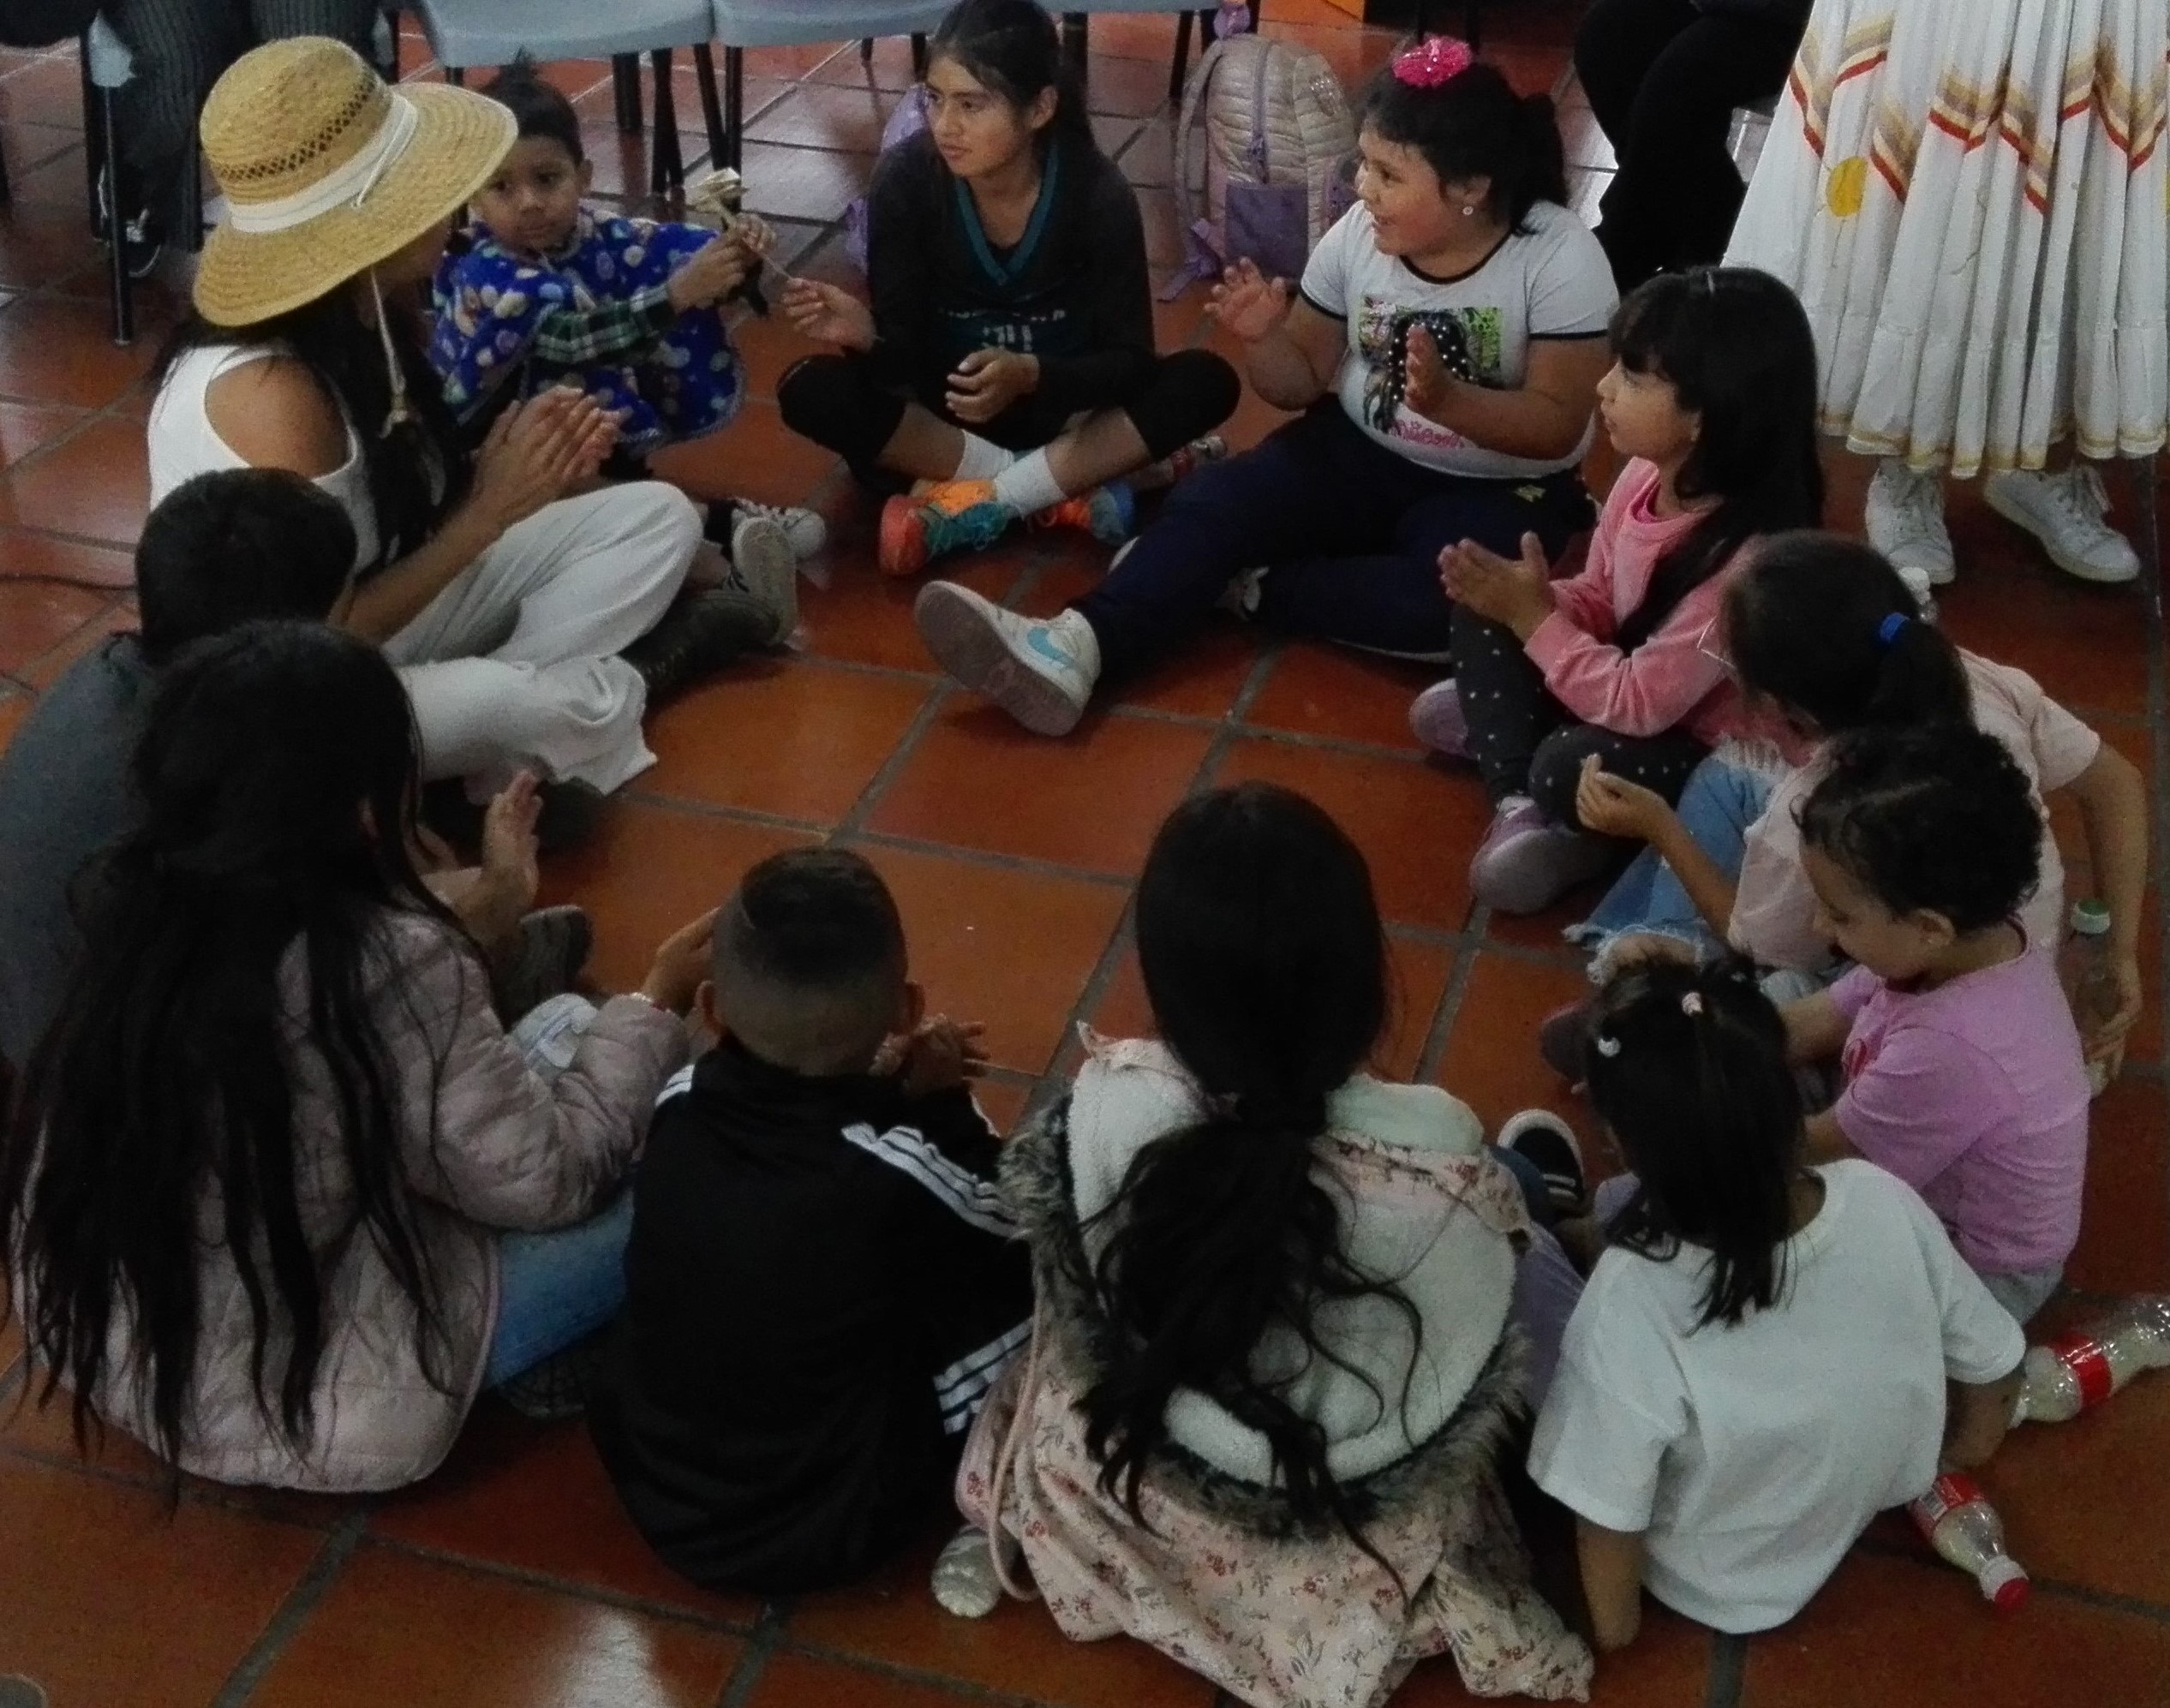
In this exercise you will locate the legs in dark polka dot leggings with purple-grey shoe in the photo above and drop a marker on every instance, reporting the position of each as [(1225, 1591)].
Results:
[(1531, 756)]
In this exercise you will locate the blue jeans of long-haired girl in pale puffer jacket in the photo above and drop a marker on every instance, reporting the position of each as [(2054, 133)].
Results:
[(557, 1288)]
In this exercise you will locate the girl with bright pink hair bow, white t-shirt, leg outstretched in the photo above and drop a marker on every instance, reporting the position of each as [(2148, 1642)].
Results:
[(1444, 350)]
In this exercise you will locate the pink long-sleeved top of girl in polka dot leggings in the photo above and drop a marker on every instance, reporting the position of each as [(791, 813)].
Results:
[(1674, 678)]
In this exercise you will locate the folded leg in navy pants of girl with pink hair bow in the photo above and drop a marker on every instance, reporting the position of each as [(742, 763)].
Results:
[(1394, 602)]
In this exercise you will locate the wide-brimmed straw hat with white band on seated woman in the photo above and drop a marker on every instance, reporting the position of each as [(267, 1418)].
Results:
[(327, 173)]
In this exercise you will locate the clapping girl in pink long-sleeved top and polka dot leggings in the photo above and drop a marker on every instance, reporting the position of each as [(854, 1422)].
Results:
[(1713, 400)]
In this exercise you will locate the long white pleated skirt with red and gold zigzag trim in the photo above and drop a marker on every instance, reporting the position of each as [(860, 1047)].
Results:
[(1971, 201)]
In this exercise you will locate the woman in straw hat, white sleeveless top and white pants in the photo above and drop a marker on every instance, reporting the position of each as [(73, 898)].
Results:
[(531, 617)]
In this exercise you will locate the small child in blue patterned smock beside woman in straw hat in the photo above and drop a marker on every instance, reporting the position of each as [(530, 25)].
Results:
[(546, 290)]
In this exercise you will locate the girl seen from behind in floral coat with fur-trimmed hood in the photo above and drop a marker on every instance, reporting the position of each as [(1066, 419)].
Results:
[(1275, 1347)]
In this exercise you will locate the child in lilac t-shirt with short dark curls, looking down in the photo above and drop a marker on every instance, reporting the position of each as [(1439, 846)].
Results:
[(1963, 1065)]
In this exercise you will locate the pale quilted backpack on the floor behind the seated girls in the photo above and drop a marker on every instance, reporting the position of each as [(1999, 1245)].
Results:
[(1277, 144)]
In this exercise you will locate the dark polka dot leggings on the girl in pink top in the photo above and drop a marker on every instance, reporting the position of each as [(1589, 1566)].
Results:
[(1527, 743)]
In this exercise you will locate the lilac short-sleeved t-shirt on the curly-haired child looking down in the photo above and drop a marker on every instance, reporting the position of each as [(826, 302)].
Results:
[(1974, 1095)]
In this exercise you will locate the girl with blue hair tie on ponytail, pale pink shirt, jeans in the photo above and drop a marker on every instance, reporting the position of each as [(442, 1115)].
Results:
[(1822, 635)]
